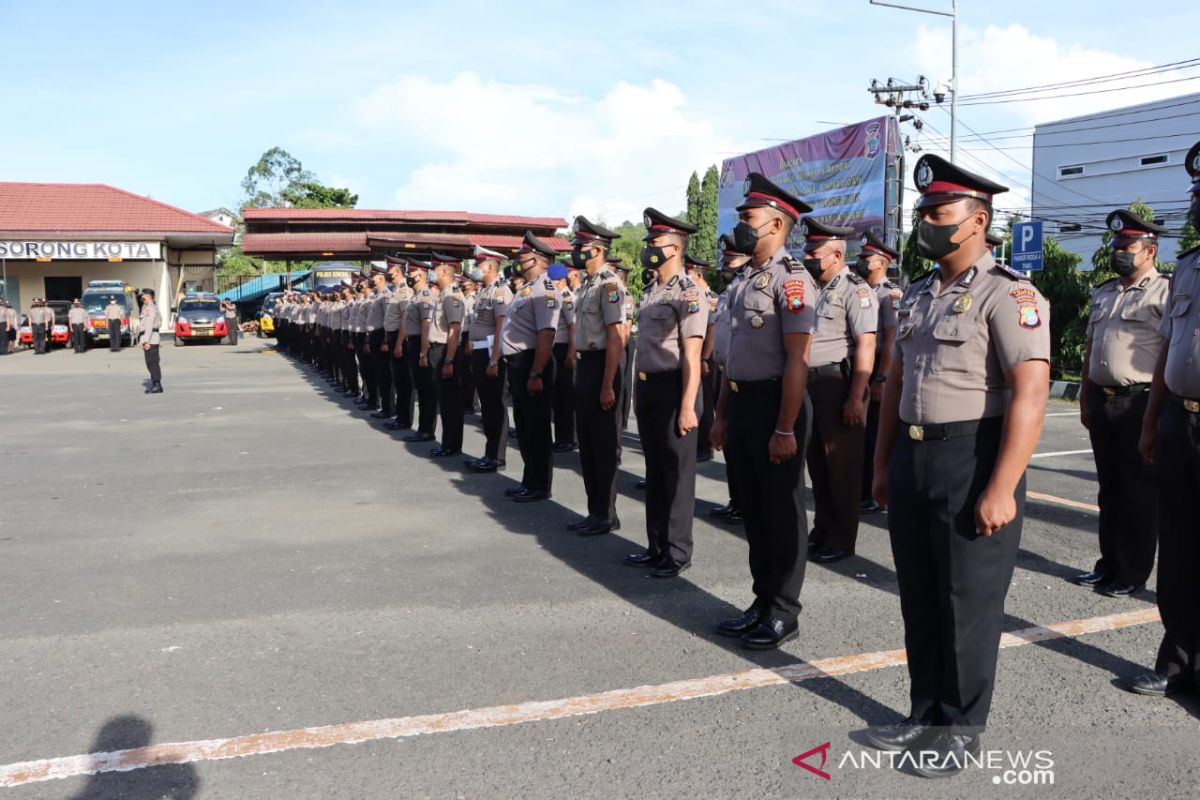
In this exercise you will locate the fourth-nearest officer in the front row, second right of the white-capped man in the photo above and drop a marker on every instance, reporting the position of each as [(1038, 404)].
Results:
[(601, 344)]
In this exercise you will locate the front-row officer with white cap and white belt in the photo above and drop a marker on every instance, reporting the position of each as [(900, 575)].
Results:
[(490, 370)]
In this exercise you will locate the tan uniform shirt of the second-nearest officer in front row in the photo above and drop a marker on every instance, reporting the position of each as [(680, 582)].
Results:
[(767, 303)]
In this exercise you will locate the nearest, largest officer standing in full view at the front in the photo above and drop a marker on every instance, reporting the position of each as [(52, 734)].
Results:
[(963, 411)]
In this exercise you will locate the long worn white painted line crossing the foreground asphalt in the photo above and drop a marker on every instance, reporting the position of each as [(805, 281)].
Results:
[(350, 733)]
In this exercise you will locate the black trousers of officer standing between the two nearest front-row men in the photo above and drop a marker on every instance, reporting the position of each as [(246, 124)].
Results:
[(836, 467)]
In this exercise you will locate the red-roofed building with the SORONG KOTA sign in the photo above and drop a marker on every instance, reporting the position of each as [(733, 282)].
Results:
[(57, 238)]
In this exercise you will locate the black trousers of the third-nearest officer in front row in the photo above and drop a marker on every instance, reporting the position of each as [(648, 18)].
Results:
[(670, 465)]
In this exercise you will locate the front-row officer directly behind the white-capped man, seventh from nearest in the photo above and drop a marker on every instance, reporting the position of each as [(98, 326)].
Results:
[(443, 356)]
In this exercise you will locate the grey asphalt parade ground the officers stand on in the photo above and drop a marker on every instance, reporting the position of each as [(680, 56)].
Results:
[(260, 593)]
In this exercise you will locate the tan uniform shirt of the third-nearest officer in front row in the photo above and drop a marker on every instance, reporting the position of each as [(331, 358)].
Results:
[(670, 314)]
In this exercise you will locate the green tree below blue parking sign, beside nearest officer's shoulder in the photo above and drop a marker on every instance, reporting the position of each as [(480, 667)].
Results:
[(1069, 292)]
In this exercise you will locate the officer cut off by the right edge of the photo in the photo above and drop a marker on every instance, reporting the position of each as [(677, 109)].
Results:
[(1171, 440)]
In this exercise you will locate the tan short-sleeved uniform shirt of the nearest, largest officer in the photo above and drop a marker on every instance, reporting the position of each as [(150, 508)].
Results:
[(957, 344)]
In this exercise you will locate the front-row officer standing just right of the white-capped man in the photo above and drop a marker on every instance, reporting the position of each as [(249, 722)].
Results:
[(527, 342)]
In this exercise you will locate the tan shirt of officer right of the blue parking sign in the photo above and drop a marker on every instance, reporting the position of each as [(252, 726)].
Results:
[(1124, 329)]
